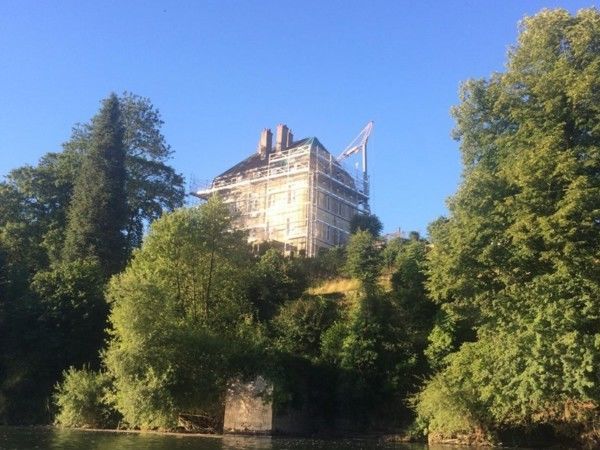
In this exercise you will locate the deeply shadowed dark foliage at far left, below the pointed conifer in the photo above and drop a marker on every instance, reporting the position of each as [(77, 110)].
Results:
[(57, 322)]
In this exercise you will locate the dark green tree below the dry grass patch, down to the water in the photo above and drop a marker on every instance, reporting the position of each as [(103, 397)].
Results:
[(374, 357)]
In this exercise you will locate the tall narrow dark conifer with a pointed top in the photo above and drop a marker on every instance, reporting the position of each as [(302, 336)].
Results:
[(98, 211)]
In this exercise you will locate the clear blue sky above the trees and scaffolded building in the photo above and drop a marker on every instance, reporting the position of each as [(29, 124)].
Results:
[(220, 71)]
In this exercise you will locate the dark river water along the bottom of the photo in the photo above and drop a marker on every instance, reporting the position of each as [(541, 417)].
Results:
[(12, 438)]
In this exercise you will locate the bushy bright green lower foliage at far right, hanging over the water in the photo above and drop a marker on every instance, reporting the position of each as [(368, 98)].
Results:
[(538, 367)]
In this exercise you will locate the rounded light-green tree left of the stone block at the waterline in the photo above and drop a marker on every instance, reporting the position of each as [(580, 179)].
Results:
[(182, 324)]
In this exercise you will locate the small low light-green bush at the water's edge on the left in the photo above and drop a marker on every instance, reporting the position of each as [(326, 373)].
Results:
[(81, 400)]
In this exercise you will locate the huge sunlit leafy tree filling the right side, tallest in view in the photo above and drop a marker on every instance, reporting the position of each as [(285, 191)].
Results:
[(525, 224)]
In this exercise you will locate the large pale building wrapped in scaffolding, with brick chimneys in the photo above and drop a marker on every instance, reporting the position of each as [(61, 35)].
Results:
[(294, 194)]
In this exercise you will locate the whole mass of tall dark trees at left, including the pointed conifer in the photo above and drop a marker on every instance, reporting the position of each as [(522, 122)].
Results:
[(66, 225)]
